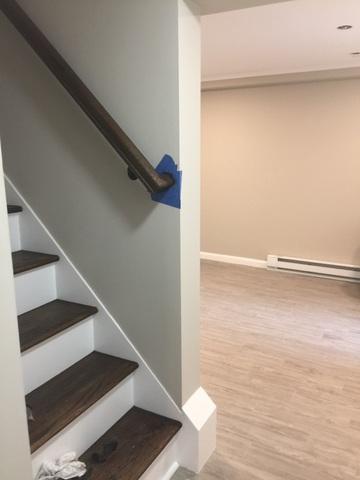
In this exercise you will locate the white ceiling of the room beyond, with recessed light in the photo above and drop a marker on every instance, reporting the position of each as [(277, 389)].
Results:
[(288, 37)]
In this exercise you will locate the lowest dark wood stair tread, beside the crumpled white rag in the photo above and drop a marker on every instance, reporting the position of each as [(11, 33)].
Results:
[(130, 446)]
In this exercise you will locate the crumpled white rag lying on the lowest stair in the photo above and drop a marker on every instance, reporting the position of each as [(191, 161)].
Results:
[(66, 467)]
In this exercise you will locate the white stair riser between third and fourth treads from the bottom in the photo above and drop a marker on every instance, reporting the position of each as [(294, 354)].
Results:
[(34, 288)]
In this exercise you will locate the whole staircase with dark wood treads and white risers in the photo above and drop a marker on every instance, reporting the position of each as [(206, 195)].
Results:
[(78, 398)]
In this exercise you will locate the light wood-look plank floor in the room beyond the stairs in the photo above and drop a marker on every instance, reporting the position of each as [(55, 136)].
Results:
[(281, 359)]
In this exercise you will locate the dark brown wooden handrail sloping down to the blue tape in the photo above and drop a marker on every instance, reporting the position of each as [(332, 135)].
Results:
[(138, 166)]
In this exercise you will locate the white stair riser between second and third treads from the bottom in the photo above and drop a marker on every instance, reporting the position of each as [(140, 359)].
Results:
[(51, 357)]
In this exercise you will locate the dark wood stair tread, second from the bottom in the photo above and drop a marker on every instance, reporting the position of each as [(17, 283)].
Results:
[(63, 398)]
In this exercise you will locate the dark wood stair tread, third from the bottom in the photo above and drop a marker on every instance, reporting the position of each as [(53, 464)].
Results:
[(50, 319)]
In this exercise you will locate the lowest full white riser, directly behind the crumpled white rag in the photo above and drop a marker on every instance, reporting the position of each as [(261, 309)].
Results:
[(86, 429)]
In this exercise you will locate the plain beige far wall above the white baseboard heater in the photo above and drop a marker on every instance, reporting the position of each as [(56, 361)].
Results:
[(281, 171)]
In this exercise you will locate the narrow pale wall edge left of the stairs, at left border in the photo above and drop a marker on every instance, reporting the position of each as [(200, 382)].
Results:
[(15, 462)]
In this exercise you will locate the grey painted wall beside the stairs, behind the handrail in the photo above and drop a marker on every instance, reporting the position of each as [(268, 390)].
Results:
[(127, 247)]
